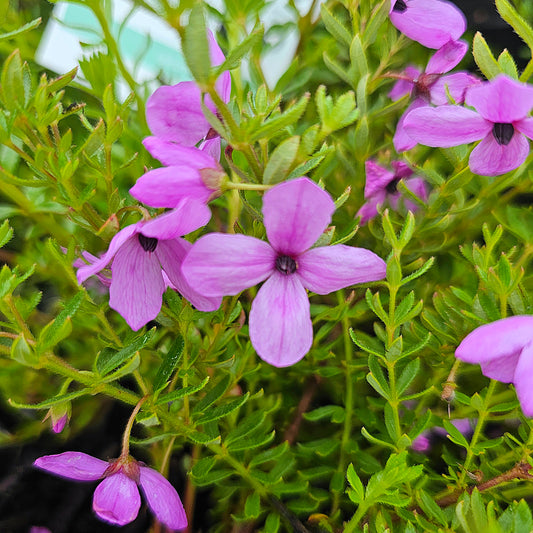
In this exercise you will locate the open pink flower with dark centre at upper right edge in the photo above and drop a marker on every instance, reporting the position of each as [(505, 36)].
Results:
[(501, 121)]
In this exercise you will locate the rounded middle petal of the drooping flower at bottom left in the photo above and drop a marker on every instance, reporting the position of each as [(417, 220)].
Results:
[(116, 500)]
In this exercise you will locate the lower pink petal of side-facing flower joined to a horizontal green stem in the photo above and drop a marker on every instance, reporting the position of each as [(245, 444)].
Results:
[(165, 187)]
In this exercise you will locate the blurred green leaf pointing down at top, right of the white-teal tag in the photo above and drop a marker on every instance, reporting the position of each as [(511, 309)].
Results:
[(195, 45)]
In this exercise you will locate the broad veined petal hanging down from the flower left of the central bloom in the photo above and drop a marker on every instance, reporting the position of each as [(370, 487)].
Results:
[(137, 285)]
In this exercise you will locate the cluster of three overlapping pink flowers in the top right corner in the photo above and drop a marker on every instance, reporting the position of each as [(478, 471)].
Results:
[(501, 118)]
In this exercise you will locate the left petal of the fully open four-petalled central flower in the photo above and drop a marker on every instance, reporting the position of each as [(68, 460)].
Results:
[(220, 264)]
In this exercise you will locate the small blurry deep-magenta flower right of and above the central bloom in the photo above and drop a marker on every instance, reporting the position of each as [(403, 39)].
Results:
[(382, 186)]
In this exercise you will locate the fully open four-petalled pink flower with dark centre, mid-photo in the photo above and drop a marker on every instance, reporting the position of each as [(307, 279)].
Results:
[(295, 215)]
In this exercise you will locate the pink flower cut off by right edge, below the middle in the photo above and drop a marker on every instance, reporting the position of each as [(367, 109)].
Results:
[(504, 349)]
